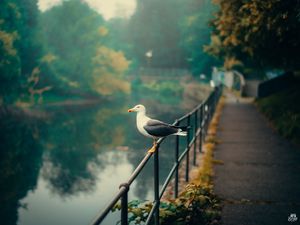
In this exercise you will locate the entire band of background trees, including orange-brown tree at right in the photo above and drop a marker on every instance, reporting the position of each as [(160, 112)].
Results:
[(60, 51)]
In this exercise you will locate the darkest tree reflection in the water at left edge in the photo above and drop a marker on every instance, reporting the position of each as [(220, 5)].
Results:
[(20, 162)]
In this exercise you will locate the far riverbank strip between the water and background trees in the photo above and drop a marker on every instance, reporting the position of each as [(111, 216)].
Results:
[(160, 95)]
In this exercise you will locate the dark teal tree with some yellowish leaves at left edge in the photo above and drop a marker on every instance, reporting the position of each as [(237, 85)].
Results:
[(18, 46)]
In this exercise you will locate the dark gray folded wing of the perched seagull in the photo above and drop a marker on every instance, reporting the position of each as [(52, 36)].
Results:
[(159, 129)]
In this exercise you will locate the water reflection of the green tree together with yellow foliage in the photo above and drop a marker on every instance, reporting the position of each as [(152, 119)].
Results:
[(74, 144)]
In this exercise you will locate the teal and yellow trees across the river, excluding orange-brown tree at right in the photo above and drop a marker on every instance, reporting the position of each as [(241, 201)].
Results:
[(70, 49)]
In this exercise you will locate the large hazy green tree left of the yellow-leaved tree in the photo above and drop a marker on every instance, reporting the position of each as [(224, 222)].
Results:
[(71, 40)]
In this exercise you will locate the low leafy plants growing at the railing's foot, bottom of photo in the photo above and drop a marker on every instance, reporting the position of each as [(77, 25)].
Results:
[(195, 205)]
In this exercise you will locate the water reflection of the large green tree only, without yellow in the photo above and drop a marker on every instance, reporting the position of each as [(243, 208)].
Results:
[(68, 154)]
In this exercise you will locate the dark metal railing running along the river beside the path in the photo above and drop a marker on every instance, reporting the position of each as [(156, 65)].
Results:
[(198, 120)]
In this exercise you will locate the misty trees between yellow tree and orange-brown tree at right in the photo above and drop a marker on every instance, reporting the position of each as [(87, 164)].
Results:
[(174, 31)]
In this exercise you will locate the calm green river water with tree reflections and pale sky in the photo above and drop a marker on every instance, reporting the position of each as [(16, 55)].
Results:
[(64, 167)]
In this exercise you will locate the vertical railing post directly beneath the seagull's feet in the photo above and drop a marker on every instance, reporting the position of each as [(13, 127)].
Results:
[(156, 186)]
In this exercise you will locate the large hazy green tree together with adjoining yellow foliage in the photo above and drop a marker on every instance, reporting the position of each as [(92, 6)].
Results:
[(79, 56)]
